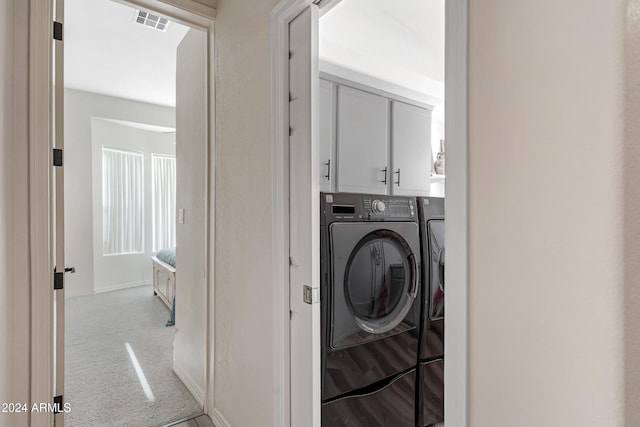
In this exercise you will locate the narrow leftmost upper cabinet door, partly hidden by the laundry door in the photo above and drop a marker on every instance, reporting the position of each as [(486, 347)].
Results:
[(327, 134)]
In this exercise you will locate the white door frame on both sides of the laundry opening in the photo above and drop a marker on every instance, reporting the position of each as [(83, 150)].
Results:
[(456, 206)]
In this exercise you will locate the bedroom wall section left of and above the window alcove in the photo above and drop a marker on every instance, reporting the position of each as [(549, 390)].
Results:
[(80, 107)]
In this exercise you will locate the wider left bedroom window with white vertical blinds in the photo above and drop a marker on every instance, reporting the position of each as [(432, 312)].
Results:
[(122, 202)]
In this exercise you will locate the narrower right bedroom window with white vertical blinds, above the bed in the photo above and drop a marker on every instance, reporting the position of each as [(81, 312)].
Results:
[(164, 201)]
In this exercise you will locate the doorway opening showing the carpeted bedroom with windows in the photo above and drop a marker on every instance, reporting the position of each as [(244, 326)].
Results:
[(136, 188)]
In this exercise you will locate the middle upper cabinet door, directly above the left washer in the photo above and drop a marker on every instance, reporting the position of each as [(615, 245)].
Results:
[(362, 142)]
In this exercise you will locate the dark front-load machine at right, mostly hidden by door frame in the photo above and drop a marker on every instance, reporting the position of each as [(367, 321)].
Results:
[(430, 368)]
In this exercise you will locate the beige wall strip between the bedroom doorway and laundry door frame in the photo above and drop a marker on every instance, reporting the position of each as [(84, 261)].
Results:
[(244, 316)]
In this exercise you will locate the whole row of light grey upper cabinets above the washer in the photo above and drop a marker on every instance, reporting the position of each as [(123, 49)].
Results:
[(372, 141)]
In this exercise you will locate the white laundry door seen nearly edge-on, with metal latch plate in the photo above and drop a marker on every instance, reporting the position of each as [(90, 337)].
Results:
[(304, 219)]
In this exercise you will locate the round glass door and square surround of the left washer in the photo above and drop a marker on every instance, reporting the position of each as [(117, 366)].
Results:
[(375, 287)]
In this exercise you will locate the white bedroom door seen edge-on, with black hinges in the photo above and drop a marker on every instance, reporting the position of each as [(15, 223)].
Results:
[(58, 179)]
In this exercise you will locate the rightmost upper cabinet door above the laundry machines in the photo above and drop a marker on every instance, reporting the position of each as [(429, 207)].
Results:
[(411, 149)]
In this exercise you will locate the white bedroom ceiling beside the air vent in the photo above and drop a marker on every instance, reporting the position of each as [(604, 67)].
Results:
[(106, 52)]
